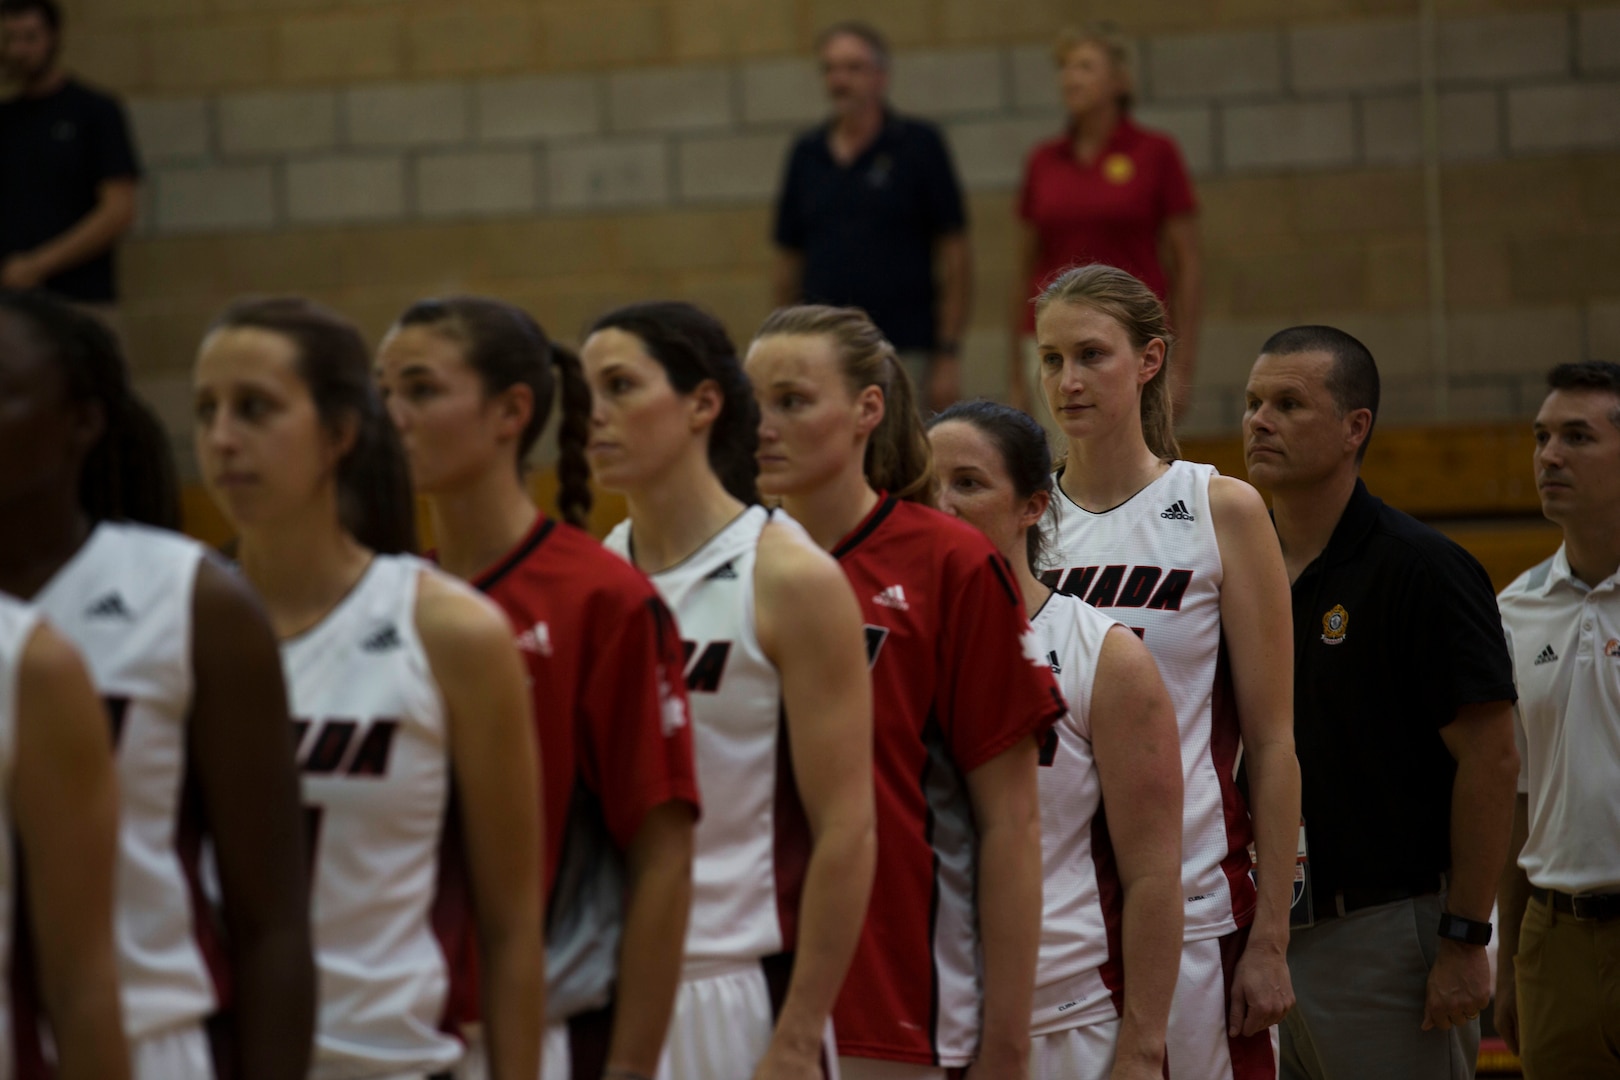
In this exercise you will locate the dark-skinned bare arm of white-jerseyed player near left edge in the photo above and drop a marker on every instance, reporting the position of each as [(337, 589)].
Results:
[(245, 760)]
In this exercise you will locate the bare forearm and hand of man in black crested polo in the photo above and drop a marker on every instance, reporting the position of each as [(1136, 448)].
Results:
[(1483, 796)]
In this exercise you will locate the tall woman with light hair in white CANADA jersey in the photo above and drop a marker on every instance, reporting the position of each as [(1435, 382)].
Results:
[(1190, 561)]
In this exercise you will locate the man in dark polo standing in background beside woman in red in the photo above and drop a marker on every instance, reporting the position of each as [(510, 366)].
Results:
[(869, 205)]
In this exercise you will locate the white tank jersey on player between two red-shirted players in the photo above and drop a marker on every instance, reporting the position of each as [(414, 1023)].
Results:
[(749, 849)]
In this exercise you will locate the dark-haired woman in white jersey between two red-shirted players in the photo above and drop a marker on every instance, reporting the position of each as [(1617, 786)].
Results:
[(782, 705)]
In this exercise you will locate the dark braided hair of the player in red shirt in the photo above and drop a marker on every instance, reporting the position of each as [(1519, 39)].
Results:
[(506, 347)]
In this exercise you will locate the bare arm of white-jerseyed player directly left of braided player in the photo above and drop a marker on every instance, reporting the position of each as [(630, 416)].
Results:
[(495, 763)]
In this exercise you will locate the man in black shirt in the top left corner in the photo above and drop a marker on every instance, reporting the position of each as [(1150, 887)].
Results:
[(67, 166)]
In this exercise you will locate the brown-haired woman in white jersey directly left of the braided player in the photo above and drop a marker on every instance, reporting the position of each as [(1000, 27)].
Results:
[(411, 713)]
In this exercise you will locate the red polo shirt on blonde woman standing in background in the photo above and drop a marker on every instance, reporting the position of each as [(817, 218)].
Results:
[(1109, 211)]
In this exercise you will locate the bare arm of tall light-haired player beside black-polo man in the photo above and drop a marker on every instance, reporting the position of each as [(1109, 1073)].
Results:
[(1258, 627)]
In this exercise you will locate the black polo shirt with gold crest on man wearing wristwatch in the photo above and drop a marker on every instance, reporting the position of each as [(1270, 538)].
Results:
[(1396, 627)]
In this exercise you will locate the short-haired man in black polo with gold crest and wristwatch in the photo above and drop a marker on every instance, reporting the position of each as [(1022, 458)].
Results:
[(1404, 725)]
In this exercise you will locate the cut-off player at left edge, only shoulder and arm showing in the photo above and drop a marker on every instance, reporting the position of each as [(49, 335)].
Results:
[(59, 793)]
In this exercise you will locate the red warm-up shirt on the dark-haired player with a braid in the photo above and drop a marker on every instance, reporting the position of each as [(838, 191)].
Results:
[(607, 679)]
